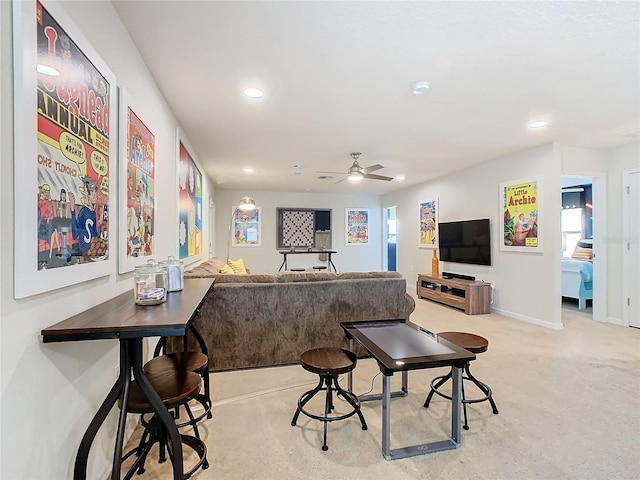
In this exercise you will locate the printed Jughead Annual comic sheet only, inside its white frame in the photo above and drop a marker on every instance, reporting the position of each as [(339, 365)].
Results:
[(73, 163)]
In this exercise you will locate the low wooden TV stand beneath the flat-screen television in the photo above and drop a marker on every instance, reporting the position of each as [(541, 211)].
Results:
[(472, 296)]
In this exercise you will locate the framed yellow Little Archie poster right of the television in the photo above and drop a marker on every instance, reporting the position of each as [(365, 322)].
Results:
[(521, 214)]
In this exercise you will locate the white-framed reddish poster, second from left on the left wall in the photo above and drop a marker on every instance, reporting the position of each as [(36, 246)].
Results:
[(137, 173)]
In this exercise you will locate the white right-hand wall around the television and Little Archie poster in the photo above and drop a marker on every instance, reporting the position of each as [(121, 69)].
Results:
[(475, 193)]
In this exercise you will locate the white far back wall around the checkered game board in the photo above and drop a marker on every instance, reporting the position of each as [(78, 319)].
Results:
[(266, 259)]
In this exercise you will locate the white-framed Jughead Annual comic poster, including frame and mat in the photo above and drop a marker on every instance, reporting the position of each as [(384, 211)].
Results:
[(65, 130)]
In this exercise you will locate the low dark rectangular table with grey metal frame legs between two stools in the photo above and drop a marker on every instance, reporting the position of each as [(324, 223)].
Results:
[(401, 346)]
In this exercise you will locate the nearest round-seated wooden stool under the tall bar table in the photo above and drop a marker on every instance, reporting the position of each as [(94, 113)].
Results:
[(174, 390)]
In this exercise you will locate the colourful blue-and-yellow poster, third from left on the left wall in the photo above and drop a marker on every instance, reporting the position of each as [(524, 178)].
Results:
[(189, 205)]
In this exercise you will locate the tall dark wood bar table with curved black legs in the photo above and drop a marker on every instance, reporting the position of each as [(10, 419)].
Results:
[(120, 318)]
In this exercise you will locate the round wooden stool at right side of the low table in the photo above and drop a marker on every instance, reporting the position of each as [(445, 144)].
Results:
[(475, 344)]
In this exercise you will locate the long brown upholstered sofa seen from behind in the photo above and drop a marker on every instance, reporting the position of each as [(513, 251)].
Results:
[(266, 320)]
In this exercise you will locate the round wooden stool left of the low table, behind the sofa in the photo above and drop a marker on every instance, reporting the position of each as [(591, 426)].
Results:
[(329, 363)]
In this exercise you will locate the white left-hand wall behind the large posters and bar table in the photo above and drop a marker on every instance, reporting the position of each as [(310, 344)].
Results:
[(50, 392)]
